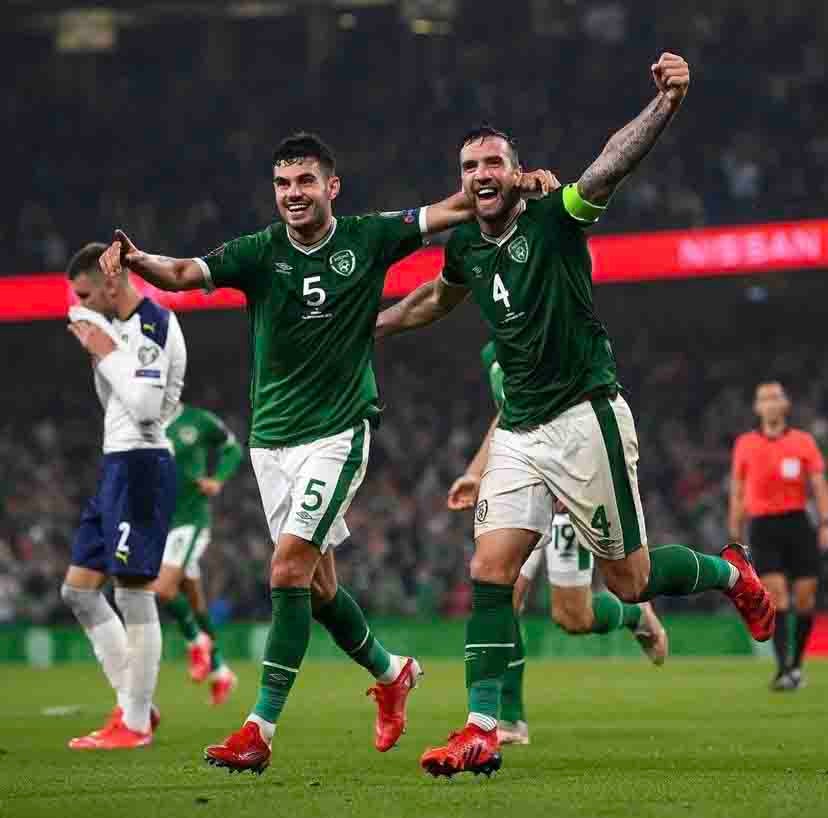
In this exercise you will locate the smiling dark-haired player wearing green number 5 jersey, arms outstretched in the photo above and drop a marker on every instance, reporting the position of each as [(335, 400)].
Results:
[(313, 285)]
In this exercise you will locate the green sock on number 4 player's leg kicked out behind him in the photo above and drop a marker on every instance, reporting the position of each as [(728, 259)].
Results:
[(676, 570)]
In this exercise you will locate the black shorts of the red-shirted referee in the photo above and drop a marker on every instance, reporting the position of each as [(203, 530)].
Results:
[(785, 544)]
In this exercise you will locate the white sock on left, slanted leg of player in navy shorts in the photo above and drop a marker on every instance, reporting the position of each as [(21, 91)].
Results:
[(106, 633)]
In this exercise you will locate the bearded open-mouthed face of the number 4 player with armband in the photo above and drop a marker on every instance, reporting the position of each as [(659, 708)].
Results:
[(489, 176)]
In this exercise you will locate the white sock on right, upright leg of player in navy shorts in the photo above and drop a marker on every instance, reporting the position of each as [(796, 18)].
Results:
[(143, 632)]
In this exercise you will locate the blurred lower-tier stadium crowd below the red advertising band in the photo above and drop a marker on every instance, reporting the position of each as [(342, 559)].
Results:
[(408, 554)]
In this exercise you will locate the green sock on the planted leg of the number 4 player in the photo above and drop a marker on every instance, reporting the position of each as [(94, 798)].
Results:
[(490, 641)]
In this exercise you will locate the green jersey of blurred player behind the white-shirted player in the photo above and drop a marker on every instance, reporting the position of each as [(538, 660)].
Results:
[(194, 434)]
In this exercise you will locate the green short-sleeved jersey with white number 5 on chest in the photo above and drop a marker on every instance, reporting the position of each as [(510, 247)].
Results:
[(312, 312)]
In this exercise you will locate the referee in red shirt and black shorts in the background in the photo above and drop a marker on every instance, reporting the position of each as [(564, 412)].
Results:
[(772, 469)]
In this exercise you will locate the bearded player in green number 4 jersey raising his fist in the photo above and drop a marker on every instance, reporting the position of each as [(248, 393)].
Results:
[(565, 430)]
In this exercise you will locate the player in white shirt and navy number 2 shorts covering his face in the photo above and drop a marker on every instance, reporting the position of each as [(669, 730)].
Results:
[(139, 358)]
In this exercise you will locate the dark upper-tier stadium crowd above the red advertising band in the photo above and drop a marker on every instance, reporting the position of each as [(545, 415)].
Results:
[(175, 148)]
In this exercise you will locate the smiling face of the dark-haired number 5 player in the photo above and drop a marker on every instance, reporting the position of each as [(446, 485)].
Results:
[(304, 194)]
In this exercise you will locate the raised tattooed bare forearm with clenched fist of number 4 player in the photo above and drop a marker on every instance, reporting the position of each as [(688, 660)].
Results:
[(627, 147)]
